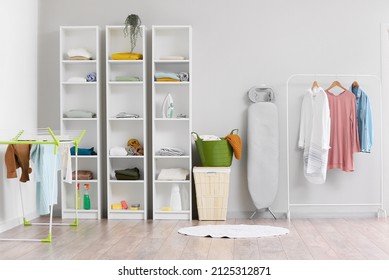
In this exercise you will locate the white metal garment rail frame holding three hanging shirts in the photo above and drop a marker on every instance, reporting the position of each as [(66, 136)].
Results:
[(379, 204)]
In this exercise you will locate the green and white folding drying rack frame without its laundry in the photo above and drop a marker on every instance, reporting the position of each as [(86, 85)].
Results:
[(56, 142)]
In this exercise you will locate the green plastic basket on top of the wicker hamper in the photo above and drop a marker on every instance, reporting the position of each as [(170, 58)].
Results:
[(214, 153)]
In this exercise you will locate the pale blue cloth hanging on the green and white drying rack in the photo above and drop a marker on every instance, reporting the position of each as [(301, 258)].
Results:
[(46, 167)]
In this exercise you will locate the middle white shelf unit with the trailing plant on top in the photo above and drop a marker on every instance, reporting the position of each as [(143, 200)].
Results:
[(128, 97)]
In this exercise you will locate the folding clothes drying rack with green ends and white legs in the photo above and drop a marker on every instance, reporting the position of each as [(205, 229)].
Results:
[(47, 137)]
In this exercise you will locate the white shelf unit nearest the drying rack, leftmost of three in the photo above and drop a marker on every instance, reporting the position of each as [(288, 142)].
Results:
[(81, 95)]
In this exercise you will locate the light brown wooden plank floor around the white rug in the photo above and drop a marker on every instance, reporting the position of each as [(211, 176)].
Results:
[(121, 239)]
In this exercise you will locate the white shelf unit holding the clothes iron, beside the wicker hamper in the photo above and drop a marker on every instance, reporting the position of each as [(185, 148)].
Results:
[(172, 41)]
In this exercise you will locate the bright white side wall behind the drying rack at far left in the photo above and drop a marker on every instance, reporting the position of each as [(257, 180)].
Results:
[(18, 96)]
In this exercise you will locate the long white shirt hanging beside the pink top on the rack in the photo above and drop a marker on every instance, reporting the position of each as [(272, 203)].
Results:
[(314, 136)]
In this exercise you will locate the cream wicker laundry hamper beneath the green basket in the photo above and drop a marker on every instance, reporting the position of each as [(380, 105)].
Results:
[(212, 188)]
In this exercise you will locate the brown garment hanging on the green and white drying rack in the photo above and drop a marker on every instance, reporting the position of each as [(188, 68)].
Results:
[(18, 156)]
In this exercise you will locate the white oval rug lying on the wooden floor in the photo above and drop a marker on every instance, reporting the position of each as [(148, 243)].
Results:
[(233, 231)]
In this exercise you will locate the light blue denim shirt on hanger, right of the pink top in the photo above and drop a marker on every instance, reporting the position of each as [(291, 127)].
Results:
[(365, 122)]
